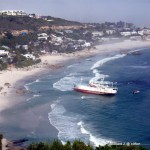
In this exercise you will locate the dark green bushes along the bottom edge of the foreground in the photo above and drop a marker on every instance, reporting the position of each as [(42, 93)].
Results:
[(79, 145)]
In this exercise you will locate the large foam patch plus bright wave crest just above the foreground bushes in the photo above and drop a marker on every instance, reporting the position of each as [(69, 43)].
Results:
[(70, 126)]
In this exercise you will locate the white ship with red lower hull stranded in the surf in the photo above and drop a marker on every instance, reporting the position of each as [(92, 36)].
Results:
[(99, 88)]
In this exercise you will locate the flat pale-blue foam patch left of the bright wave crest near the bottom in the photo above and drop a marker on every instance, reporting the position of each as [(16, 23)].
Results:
[(65, 124)]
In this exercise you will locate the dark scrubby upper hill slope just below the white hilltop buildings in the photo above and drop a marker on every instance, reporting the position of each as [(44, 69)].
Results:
[(9, 23)]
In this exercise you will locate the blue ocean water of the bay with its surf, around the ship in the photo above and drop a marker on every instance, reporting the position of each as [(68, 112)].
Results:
[(54, 110)]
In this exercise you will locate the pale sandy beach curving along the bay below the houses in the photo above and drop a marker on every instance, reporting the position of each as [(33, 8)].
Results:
[(9, 78)]
